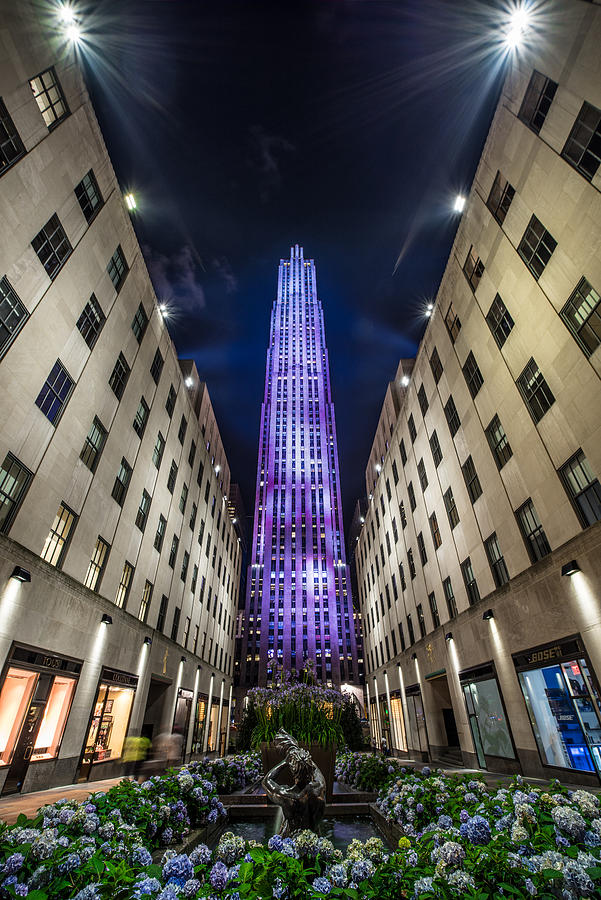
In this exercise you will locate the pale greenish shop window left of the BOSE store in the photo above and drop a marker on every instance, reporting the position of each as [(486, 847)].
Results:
[(487, 717)]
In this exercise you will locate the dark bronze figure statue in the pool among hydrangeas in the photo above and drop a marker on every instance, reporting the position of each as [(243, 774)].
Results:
[(303, 803)]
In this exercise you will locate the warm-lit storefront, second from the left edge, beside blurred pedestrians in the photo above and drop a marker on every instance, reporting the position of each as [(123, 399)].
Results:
[(109, 721)]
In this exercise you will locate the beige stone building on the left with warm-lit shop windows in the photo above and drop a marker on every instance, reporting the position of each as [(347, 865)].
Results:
[(119, 563)]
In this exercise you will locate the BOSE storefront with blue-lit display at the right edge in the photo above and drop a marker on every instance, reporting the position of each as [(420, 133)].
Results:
[(562, 699)]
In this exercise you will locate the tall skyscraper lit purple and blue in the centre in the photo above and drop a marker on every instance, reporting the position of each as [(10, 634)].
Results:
[(298, 599)]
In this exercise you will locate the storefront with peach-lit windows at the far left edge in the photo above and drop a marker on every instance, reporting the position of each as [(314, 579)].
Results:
[(35, 699)]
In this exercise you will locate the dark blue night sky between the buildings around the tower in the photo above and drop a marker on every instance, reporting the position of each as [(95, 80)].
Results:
[(245, 127)]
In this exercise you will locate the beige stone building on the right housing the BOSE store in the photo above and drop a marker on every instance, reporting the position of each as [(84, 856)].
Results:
[(483, 479)]
